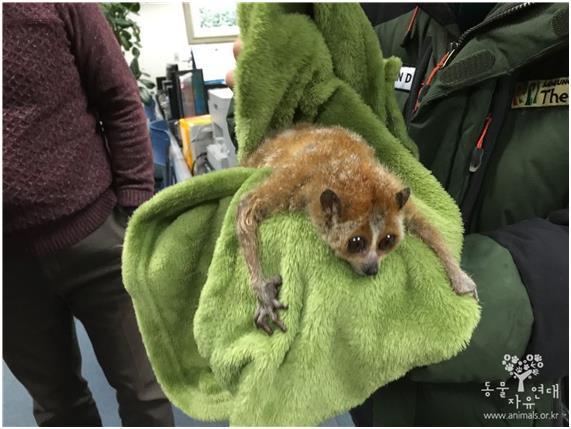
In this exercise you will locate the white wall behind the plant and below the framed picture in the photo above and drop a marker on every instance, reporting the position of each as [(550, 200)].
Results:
[(164, 40)]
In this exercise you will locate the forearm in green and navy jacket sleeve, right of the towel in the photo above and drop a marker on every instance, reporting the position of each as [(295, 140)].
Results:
[(522, 275)]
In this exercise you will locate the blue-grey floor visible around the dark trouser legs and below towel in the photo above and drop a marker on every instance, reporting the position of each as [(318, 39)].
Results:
[(17, 404)]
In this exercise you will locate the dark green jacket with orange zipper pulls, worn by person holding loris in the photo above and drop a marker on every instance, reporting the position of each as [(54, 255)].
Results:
[(491, 122)]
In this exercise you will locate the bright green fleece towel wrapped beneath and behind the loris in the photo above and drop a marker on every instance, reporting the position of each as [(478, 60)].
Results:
[(347, 334)]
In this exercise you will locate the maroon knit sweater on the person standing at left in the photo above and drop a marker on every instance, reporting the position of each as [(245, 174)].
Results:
[(64, 74)]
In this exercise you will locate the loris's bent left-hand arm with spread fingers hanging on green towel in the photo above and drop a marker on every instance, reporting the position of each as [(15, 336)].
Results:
[(251, 211)]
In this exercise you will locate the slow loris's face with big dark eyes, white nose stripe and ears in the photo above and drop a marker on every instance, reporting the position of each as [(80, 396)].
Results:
[(364, 236)]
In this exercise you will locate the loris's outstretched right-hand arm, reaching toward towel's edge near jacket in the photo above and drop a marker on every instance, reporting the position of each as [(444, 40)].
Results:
[(461, 282)]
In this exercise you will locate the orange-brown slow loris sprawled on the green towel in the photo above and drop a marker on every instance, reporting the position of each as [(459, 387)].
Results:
[(359, 208)]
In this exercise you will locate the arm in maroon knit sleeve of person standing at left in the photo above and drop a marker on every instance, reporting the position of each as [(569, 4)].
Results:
[(113, 94)]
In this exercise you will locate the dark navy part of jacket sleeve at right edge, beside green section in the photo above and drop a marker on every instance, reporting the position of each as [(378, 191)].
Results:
[(540, 251)]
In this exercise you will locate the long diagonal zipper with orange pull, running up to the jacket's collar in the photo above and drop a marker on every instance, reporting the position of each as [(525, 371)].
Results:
[(456, 46)]
